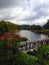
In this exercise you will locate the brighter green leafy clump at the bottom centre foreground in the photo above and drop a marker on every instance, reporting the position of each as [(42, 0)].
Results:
[(26, 59)]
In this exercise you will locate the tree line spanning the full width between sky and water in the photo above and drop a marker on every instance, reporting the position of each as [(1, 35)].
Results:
[(6, 26)]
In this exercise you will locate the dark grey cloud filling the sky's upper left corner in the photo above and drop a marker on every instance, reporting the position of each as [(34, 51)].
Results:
[(8, 3)]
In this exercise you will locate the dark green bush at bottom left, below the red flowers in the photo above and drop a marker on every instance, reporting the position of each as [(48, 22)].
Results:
[(11, 56)]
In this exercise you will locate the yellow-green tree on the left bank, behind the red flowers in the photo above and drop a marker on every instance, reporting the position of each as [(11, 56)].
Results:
[(6, 26)]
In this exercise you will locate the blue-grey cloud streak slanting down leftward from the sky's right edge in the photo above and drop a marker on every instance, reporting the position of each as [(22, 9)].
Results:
[(39, 12)]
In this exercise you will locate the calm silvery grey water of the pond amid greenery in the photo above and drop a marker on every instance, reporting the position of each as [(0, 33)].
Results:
[(31, 35)]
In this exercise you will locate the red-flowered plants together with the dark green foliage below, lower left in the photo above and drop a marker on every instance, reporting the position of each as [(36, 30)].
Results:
[(10, 54)]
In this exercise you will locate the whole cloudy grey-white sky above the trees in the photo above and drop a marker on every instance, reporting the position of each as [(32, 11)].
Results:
[(25, 11)]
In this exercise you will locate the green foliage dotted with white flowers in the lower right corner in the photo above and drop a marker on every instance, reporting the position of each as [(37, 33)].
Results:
[(42, 54)]
